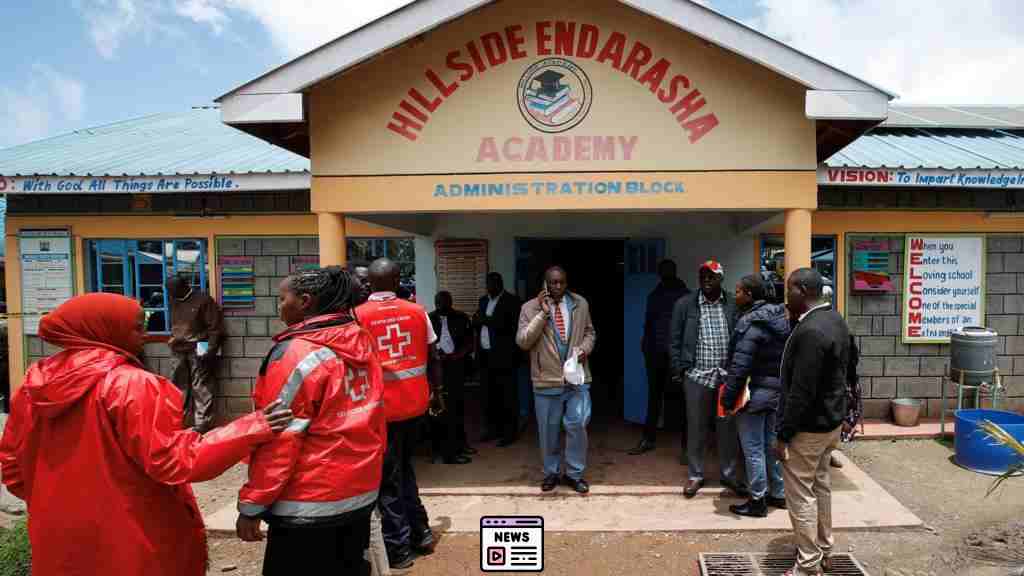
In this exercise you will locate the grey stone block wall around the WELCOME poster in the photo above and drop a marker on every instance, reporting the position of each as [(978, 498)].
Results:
[(890, 369)]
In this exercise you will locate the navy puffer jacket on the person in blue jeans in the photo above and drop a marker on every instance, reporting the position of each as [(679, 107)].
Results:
[(756, 353)]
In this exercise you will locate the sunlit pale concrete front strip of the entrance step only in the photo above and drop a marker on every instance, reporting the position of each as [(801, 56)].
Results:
[(859, 504)]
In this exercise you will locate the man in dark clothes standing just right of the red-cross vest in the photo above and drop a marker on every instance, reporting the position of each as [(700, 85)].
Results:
[(455, 341)]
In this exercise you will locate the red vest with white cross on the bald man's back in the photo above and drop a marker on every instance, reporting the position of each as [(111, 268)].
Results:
[(400, 331)]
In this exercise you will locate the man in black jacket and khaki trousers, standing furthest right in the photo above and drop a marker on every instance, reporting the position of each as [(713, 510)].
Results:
[(814, 407)]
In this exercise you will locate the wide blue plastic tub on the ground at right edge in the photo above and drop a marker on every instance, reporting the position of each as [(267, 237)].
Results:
[(975, 451)]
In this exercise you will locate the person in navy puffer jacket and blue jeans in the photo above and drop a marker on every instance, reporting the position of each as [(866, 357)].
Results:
[(756, 351)]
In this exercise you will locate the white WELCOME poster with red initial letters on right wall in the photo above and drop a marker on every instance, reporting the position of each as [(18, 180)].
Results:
[(945, 286)]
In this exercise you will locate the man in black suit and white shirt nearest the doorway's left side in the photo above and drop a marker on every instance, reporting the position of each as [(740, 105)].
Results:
[(497, 321)]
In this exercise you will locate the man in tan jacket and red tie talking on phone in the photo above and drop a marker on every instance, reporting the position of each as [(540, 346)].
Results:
[(556, 327)]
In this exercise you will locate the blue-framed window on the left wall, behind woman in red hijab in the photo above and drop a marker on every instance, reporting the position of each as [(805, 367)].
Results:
[(139, 269)]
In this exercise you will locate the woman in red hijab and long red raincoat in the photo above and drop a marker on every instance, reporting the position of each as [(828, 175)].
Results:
[(96, 447)]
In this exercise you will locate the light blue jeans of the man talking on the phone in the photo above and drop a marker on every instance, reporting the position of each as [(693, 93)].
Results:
[(571, 409)]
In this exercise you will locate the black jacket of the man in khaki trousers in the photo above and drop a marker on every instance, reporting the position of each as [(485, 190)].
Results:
[(815, 375)]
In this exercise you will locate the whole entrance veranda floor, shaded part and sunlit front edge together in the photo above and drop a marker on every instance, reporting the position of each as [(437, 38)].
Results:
[(629, 493)]
